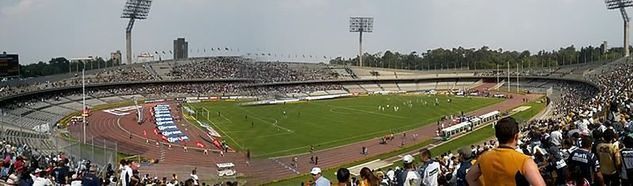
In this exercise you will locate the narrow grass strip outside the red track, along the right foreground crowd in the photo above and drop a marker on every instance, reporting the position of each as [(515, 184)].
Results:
[(474, 137)]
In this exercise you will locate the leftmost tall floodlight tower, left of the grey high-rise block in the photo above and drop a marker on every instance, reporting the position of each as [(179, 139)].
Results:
[(133, 10)]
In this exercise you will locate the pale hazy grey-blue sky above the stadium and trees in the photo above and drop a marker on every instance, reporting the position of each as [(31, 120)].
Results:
[(39, 30)]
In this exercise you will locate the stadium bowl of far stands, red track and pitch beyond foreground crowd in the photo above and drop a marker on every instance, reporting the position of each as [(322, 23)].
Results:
[(262, 123)]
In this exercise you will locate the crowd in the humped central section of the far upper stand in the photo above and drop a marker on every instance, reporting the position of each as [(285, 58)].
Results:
[(237, 67)]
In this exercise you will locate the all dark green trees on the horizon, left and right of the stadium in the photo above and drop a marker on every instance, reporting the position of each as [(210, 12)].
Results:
[(436, 59)]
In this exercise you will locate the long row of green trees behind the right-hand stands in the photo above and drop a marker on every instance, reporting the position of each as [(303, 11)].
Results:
[(483, 58)]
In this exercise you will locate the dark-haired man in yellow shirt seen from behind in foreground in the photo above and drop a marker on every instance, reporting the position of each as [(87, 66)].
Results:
[(504, 165)]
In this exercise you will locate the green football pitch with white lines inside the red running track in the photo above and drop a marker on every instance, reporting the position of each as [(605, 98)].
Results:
[(284, 129)]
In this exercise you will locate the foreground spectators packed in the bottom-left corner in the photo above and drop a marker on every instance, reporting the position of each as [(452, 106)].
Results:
[(20, 165)]
